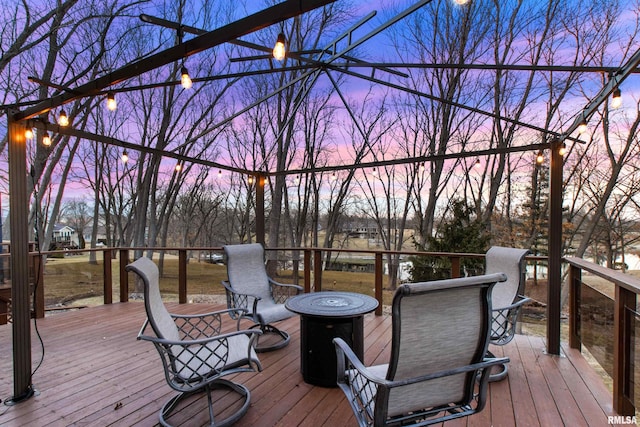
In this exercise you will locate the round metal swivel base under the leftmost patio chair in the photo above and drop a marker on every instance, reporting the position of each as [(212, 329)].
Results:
[(242, 390)]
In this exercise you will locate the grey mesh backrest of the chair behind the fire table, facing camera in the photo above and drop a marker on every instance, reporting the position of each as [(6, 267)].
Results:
[(246, 270)]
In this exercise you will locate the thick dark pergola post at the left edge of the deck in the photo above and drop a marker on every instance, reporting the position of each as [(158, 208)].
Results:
[(19, 227)]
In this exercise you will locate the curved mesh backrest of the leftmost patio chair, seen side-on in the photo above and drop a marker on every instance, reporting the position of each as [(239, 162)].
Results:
[(159, 318)]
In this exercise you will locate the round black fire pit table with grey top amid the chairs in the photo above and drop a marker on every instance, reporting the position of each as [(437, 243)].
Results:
[(323, 317)]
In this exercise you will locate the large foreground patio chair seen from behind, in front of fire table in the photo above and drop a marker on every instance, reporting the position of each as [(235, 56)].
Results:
[(438, 369)]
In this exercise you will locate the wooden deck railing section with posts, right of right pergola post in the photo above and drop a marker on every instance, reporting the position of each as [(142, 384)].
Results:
[(627, 288)]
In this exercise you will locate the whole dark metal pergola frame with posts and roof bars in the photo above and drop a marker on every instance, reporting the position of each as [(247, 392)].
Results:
[(18, 120)]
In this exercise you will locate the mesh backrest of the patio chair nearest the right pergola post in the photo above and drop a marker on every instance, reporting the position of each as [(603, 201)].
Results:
[(509, 261)]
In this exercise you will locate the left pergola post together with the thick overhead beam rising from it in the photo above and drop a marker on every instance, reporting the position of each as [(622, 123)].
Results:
[(19, 199)]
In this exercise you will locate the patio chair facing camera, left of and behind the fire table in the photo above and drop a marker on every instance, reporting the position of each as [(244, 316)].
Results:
[(250, 288)]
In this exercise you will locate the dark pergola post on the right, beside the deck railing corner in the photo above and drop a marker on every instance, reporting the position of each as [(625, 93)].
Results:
[(554, 299)]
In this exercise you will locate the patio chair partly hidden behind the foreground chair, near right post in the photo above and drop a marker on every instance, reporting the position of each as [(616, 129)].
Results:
[(507, 297)]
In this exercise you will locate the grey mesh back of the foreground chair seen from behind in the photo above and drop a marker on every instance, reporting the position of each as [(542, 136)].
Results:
[(438, 326)]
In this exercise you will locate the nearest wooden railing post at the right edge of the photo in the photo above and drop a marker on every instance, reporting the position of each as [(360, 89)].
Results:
[(622, 343)]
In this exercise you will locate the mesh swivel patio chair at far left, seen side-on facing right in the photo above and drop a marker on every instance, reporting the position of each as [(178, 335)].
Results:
[(195, 354)]
